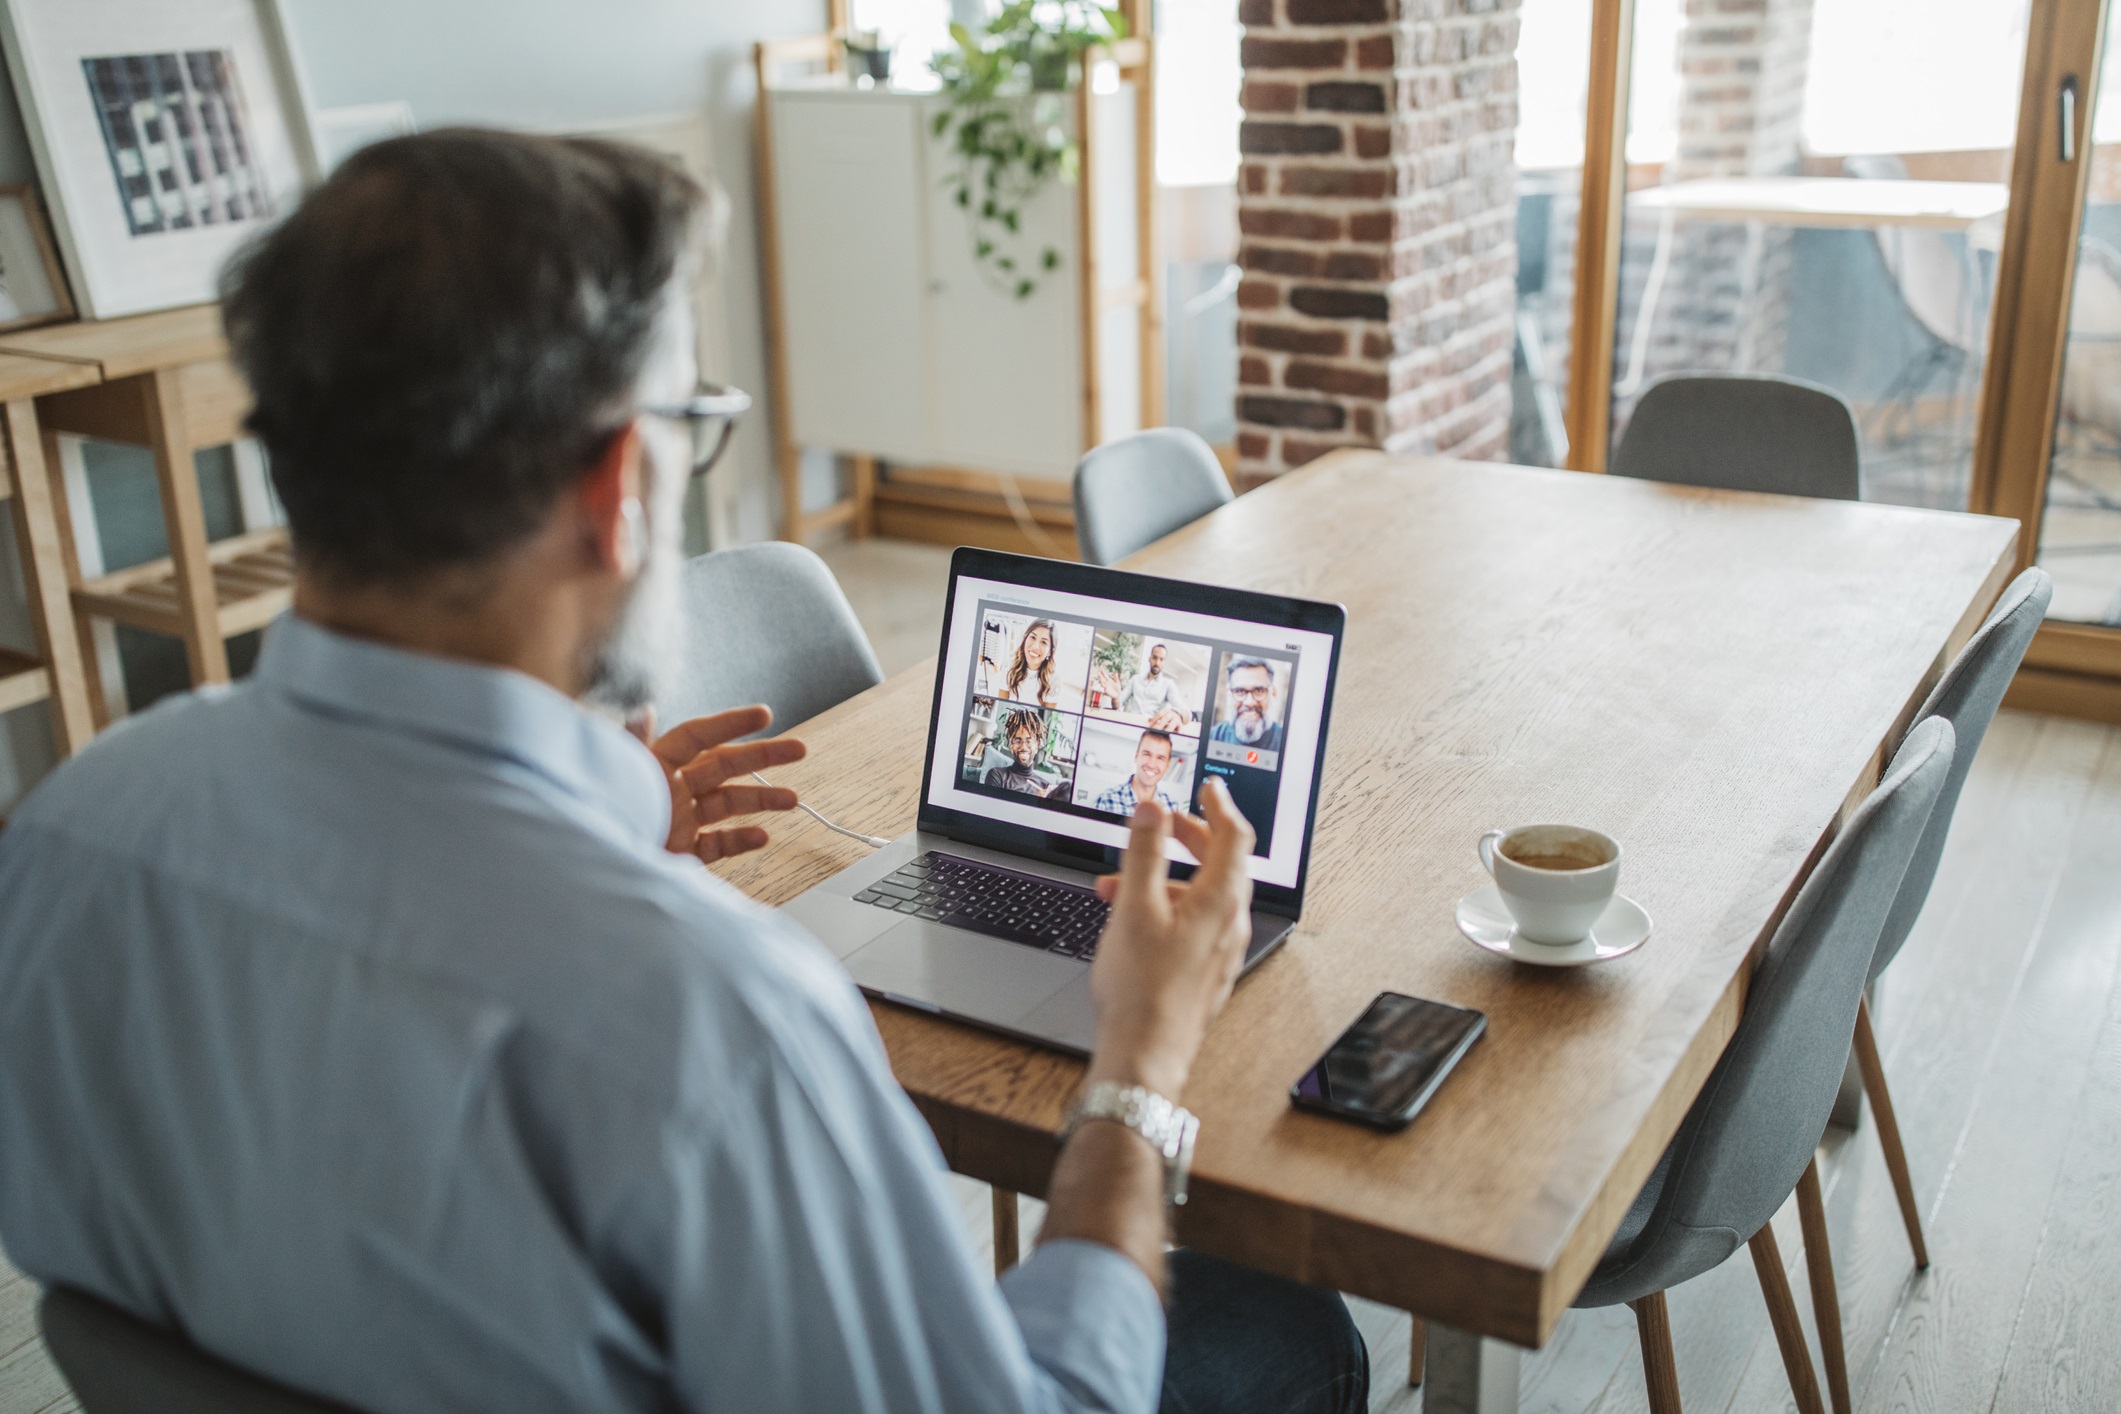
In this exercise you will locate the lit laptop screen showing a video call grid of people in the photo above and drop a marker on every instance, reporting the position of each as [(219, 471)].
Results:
[(1091, 720)]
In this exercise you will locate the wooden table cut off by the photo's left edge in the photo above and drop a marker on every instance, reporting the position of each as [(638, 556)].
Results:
[(56, 671)]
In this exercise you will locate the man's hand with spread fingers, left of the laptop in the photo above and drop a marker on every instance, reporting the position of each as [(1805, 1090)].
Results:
[(701, 758)]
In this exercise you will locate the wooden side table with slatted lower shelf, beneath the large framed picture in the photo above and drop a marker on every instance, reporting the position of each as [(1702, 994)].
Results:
[(164, 383)]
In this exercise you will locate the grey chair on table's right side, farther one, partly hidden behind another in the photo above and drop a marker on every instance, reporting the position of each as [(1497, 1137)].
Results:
[(1967, 696)]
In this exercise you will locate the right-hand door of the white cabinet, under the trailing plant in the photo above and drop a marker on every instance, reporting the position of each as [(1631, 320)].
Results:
[(1006, 374)]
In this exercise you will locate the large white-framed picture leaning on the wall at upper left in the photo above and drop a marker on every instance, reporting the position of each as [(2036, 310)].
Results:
[(164, 130)]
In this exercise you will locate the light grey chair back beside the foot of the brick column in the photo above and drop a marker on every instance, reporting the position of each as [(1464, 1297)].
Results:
[(1140, 489)]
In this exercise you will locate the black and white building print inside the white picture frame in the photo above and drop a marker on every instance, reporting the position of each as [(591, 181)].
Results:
[(179, 139)]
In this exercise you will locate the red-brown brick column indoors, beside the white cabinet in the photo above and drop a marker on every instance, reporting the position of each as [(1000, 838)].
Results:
[(1378, 207)]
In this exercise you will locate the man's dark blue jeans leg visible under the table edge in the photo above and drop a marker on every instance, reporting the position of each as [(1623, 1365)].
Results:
[(1250, 1343)]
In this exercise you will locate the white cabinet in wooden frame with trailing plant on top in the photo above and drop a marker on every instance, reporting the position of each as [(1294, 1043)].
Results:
[(892, 338)]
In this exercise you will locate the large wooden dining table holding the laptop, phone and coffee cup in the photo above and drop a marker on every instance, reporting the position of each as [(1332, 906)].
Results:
[(1711, 677)]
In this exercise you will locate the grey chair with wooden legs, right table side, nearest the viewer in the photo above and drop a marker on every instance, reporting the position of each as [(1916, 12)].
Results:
[(1753, 1131)]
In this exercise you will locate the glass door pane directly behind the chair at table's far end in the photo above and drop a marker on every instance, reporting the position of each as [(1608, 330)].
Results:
[(1800, 202)]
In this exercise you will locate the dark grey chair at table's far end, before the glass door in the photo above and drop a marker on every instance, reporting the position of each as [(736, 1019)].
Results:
[(1742, 434)]
